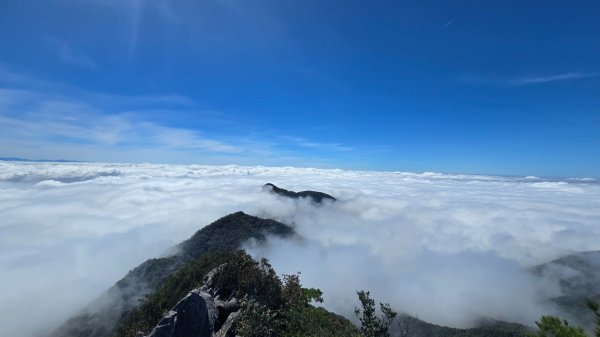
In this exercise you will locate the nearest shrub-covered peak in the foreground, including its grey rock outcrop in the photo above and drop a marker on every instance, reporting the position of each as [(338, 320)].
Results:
[(231, 286)]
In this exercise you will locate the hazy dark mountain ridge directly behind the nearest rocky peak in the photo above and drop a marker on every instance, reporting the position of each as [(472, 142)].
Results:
[(227, 233)]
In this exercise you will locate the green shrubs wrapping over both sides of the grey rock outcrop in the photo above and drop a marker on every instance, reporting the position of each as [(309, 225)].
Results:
[(269, 306)]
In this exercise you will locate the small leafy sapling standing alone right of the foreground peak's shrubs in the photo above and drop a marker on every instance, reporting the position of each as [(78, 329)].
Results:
[(370, 324)]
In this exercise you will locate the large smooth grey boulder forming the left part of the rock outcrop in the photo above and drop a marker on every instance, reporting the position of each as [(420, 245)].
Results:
[(194, 316)]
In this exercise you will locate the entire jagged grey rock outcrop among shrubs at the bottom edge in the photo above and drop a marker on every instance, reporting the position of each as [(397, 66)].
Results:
[(200, 314)]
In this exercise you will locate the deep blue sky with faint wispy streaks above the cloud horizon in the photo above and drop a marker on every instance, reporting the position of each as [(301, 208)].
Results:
[(502, 87)]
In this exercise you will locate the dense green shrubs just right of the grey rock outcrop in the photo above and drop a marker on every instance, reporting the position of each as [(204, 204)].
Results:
[(275, 308)]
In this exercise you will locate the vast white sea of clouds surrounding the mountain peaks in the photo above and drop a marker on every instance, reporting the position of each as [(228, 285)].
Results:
[(447, 248)]
